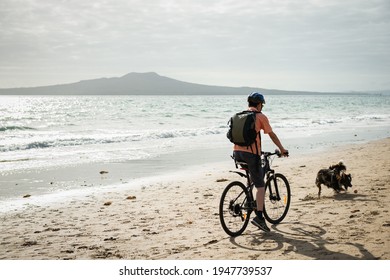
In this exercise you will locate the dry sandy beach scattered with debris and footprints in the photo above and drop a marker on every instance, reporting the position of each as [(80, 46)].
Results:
[(177, 217)]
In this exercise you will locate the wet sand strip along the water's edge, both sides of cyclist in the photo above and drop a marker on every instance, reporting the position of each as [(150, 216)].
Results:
[(71, 179)]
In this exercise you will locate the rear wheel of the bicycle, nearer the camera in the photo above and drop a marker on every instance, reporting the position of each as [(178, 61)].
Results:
[(233, 210)]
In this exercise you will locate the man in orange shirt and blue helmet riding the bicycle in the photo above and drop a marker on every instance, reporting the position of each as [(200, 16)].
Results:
[(251, 155)]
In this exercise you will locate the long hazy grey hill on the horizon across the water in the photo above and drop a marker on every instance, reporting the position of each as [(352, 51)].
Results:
[(137, 84)]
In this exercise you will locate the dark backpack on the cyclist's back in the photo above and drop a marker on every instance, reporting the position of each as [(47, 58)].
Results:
[(242, 130)]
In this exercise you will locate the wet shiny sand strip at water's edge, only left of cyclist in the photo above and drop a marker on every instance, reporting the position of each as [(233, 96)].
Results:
[(68, 181)]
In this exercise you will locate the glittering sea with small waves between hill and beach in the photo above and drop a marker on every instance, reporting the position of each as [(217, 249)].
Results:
[(39, 133)]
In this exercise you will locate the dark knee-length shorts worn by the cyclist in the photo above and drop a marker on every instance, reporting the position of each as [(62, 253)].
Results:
[(253, 162)]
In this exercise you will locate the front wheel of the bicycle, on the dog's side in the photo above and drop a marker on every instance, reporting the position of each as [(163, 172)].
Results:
[(277, 198)]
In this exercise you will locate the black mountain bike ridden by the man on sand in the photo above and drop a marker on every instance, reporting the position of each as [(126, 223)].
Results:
[(237, 200)]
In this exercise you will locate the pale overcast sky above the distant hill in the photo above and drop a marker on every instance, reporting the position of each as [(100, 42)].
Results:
[(319, 45)]
